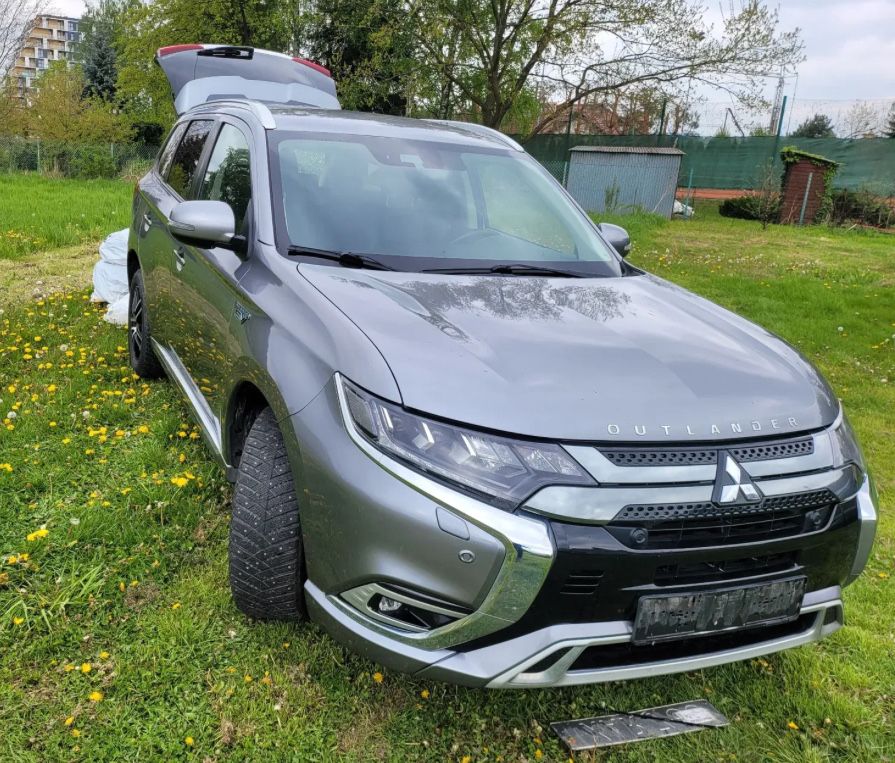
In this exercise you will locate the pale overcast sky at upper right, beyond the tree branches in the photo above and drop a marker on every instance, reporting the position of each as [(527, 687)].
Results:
[(849, 46)]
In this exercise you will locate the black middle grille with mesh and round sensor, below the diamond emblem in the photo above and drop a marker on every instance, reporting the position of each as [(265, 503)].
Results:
[(666, 526)]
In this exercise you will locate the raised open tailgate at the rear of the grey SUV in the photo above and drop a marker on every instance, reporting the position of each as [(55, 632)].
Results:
[(199, 73)]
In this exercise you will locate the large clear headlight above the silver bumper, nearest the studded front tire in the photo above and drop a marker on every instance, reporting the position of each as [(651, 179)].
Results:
[(509, 470)]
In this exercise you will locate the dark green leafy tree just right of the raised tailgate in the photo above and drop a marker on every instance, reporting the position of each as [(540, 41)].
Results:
[(367, 45)]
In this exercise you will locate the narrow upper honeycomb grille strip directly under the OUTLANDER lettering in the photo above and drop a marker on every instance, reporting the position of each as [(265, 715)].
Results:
[(765, 451)]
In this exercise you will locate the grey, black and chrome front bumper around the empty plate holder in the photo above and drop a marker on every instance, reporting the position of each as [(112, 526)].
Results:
[(502, 642)]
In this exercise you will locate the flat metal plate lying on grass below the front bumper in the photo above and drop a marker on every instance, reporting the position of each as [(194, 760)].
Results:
[(653, 723)]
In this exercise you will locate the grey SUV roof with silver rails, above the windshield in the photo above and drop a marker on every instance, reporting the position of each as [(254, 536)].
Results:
[(315, 120)]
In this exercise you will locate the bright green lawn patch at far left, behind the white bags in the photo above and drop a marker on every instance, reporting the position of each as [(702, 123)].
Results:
[(39, 213)]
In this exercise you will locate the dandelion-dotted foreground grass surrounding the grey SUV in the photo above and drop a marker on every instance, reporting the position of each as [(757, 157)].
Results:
[(118, 638)]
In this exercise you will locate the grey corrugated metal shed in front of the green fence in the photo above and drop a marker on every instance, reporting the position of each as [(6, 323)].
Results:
[(624, 178)]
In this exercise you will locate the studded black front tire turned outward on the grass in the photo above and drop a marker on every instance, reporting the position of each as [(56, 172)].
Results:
[(266, 551)]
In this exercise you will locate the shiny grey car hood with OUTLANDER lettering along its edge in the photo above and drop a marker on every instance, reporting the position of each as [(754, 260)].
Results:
[(598, 359)]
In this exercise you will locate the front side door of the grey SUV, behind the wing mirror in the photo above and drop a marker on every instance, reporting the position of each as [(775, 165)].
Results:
[(209, 278)]
